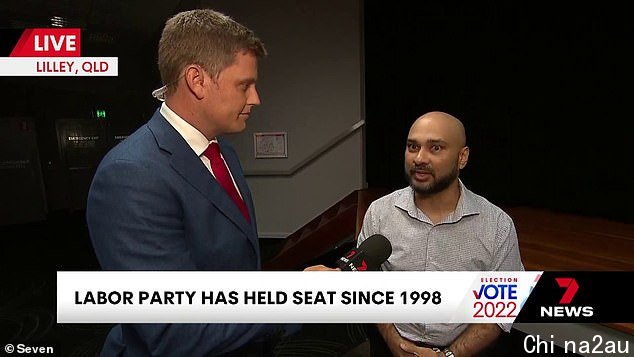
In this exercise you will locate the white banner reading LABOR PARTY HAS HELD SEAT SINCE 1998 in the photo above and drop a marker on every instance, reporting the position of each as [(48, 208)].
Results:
[(288, 297)]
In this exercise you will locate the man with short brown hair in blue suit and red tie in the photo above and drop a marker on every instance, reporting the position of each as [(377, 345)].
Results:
[(156, 201)]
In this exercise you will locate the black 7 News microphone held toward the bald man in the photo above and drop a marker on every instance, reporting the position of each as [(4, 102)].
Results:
[(370, 254)]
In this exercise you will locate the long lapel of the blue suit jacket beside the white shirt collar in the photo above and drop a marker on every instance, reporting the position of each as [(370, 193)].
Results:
[(192, 170)]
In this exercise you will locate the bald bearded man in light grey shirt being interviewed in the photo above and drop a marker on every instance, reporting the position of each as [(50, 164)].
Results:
[(437, 224)]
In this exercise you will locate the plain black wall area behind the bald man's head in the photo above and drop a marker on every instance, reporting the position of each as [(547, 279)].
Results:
[(544, 93)]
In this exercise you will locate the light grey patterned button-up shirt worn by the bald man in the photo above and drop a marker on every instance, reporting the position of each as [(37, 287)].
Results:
[(477, 236)]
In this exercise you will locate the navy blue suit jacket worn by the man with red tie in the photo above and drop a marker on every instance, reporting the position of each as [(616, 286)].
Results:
[(153, 205)]
